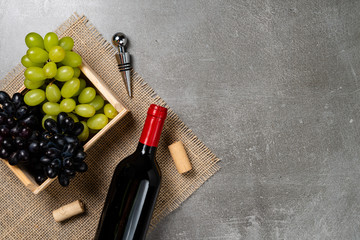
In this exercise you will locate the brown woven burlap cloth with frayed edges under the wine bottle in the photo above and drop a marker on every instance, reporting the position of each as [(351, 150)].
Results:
[(24, 215)]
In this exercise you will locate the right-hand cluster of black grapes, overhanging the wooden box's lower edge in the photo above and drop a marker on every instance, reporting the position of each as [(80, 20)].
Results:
[(63, 154)]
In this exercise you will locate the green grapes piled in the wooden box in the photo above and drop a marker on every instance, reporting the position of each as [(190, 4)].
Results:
[(52, 76)]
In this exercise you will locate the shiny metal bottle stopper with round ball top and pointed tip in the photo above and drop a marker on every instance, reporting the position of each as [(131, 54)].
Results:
[(124, 62)]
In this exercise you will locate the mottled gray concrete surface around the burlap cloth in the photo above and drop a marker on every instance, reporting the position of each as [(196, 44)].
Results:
[(272, 87)]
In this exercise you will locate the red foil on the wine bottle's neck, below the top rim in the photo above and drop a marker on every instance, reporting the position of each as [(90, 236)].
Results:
[(153, 126)]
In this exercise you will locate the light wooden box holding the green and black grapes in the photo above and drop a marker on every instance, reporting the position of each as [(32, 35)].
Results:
[(108, 95)]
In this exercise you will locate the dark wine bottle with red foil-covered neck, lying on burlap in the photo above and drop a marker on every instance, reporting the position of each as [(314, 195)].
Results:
[(135, 186)]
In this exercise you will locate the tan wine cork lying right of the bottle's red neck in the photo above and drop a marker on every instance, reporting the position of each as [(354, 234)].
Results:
[(181, 160)]
